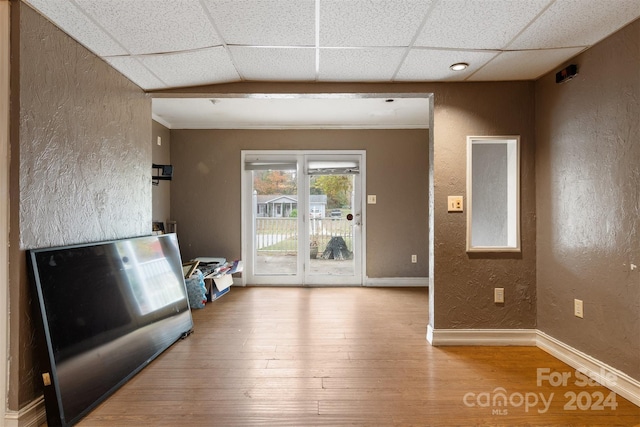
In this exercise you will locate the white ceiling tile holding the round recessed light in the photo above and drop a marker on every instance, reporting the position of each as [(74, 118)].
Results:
[(433, 65)]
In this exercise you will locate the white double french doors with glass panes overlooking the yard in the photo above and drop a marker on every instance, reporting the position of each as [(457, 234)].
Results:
[(303, 217)]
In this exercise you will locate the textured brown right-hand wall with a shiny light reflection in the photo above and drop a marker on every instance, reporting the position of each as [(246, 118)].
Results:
[(588, 170)]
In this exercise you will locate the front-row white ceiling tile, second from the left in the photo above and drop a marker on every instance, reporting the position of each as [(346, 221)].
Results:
[(154, 26)]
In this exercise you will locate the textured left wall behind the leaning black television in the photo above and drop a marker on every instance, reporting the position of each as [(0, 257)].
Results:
[(80, 165)]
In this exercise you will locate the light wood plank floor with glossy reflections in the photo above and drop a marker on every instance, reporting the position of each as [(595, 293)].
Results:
[(341, 357)]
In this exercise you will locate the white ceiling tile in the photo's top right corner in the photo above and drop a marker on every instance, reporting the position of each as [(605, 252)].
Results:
[(570, 23)]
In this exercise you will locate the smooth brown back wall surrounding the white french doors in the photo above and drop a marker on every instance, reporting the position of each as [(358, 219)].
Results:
[(206, 190)]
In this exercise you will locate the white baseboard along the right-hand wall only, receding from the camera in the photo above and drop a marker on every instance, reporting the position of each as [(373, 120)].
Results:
[(615, 380)]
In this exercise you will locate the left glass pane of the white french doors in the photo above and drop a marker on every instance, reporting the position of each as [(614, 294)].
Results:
[(275, 221)]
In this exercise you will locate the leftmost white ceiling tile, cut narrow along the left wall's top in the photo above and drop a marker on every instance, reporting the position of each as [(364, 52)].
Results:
[(78, 25)]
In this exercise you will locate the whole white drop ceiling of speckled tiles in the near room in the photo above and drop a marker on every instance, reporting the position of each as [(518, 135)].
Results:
[(167, 44)]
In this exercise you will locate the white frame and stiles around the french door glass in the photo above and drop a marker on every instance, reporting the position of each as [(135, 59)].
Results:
[(247, 214)]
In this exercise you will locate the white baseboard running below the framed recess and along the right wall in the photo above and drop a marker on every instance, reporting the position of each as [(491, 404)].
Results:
[(615, 380)]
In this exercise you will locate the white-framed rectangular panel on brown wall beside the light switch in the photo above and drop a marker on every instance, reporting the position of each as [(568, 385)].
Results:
[(493, 194)]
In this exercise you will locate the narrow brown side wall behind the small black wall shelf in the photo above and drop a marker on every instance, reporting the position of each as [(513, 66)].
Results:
[(161, 154)]
